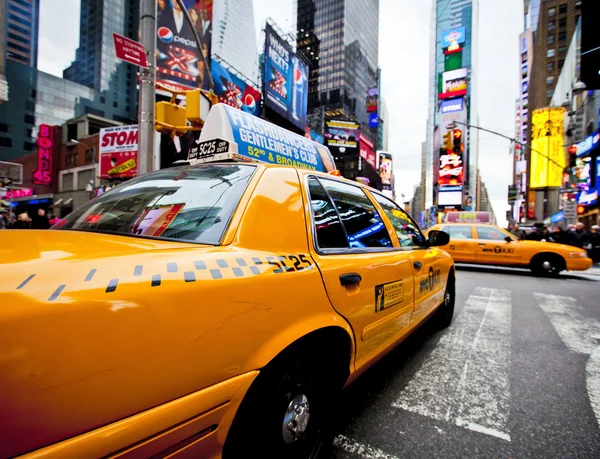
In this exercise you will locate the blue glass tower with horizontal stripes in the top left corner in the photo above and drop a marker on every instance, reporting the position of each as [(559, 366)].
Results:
[(22, 25)]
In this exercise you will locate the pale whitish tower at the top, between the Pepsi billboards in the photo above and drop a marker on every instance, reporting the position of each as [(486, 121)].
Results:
[(234, 36)]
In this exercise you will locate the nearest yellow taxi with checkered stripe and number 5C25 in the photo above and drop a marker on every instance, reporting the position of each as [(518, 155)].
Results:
[(207, 310)]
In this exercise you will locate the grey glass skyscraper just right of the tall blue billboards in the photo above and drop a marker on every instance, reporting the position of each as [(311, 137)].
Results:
[(340, 38)]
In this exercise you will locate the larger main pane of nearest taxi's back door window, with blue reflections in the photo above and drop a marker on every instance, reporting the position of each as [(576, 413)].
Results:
[(363, 224)]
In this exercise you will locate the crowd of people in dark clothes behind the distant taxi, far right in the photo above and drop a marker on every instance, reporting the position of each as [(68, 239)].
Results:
[(576, 235)]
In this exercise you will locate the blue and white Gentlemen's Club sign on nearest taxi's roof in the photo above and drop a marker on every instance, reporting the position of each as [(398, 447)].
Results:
[(229, 133)]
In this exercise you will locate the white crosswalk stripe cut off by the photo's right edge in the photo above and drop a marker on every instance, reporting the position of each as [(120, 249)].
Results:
[(580, 334)]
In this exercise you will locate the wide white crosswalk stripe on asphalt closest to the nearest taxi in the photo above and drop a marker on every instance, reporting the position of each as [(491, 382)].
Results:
[(465, 380)]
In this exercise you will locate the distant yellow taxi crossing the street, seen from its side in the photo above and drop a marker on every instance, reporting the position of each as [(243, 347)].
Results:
[(487, 244)]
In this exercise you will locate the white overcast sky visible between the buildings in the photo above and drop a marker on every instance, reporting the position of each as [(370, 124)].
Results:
[(404, 60)]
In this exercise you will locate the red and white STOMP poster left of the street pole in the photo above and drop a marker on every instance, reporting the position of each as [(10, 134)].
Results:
[(118, 151)]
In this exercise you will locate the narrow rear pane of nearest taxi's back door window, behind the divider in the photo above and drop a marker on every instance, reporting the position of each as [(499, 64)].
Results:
[(329, 231)]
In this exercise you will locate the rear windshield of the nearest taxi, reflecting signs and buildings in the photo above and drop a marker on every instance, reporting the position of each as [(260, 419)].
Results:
[(189, 203)]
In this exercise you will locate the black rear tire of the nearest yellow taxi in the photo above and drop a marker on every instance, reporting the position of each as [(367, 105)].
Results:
[(258, 428)]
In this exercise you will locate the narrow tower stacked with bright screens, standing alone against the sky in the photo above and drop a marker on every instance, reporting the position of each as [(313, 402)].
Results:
[(451, 175)]
